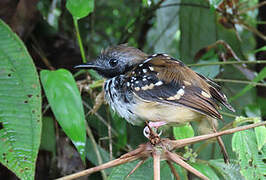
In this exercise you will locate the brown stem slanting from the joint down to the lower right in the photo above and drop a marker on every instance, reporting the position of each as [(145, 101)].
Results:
[(174, 157)]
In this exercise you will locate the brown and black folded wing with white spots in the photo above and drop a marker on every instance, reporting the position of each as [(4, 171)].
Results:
[(163, 79)]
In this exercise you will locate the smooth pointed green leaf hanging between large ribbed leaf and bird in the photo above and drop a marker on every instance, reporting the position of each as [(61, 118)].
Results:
[(64, 98)]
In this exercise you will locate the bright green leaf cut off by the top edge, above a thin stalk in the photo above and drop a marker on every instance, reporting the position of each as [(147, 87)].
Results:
[(80, 8)]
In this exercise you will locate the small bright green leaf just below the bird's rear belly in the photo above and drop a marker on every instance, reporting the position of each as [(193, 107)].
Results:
[(182, 132)]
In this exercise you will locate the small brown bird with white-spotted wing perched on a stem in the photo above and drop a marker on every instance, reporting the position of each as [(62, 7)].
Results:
[(159, 89)]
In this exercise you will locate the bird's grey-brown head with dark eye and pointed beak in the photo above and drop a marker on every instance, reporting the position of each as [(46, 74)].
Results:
[(115, 60)]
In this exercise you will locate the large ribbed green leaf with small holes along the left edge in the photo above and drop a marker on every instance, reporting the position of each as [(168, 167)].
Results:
[(20, 106)]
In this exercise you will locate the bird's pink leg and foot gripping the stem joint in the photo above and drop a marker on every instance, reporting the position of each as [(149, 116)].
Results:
[(150, 131)]
